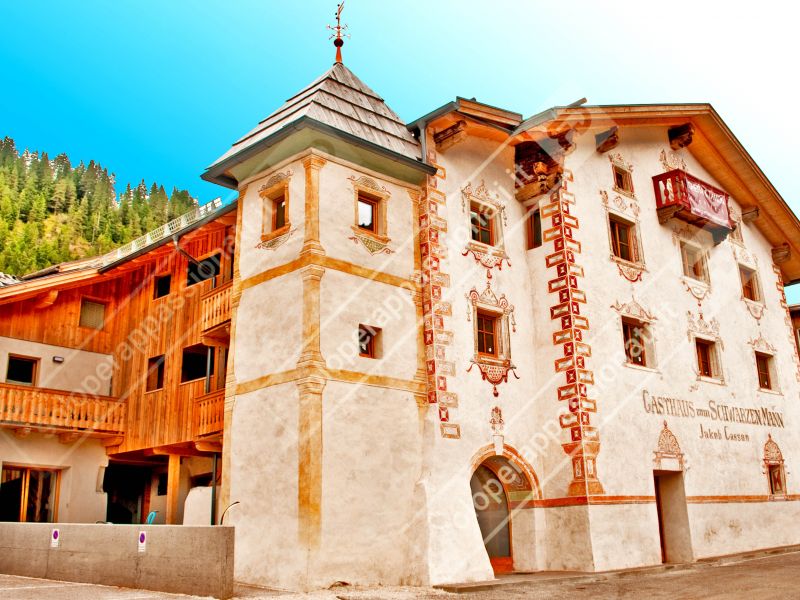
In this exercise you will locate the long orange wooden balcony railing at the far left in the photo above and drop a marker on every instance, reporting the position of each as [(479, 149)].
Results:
[(46, 409)]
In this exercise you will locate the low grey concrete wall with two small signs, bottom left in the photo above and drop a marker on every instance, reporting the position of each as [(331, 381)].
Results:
[(177, 559)]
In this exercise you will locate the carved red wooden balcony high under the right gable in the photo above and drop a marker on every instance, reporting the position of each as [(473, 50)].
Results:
[(682, 196)]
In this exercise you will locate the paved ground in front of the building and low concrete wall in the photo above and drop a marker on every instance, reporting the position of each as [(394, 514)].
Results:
[(770, 577)]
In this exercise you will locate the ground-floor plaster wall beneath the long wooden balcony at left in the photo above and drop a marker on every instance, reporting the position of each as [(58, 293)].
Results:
[(80, 463)]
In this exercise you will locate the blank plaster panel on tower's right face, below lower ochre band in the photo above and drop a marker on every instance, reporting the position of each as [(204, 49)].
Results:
[(369, 483)]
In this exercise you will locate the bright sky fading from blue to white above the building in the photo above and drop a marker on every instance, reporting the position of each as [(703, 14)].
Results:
[(158, 90)]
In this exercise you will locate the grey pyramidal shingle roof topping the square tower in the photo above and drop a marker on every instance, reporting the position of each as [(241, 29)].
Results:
[(341, 100)]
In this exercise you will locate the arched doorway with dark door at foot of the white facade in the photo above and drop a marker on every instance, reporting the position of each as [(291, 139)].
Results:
[(500, 490)]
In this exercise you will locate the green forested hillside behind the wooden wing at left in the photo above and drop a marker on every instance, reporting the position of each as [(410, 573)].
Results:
[(52, 211)]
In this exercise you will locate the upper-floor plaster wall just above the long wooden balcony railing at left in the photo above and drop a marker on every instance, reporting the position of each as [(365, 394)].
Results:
[(79, 366)]
